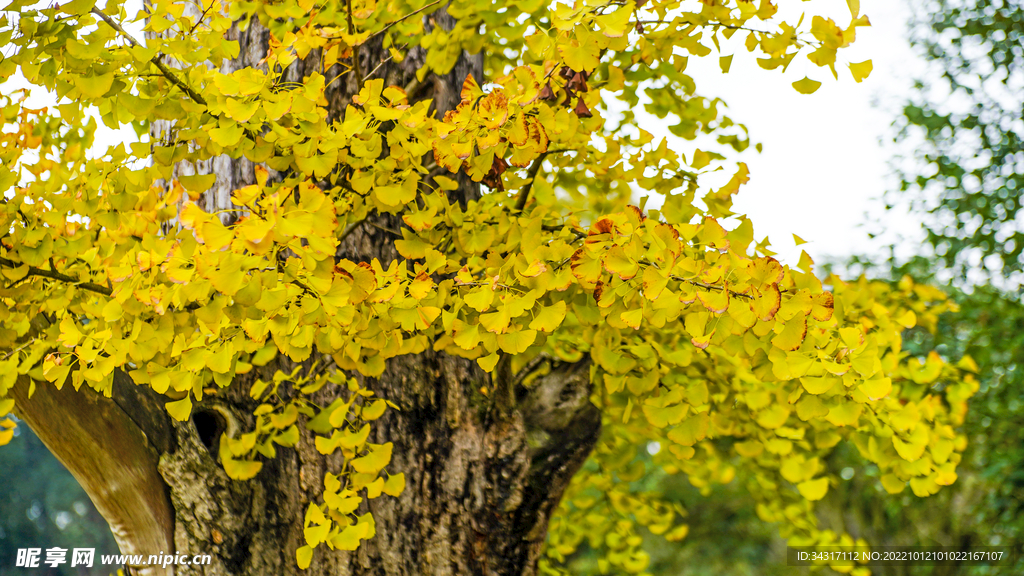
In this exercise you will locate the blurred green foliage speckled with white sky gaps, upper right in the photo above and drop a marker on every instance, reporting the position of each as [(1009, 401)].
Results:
[(966, 130)]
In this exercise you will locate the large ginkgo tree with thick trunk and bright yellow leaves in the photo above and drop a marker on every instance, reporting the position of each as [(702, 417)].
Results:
[(372, 294)]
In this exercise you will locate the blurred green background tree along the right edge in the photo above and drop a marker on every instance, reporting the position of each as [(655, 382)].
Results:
[(965, 179)]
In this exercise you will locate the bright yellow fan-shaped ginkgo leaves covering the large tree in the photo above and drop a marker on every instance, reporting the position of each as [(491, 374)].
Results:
[(700, 340)]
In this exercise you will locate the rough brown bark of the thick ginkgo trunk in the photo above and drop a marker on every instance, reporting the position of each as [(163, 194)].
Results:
[(479, 496)]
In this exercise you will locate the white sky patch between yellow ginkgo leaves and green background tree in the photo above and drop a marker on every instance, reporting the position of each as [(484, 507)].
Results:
[(824, 168)]
